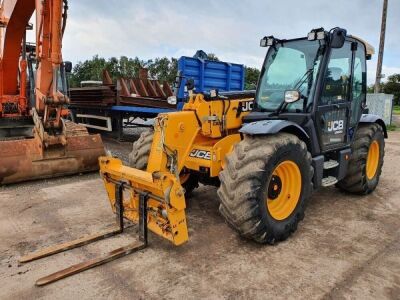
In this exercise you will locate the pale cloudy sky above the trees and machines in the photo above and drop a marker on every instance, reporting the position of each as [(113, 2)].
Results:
[(229, 28)]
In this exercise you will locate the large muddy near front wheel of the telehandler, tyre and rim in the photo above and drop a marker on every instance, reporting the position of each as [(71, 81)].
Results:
[(245, 192)]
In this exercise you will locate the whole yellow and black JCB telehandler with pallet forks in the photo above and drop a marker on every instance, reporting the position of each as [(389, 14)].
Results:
[(305, 129)]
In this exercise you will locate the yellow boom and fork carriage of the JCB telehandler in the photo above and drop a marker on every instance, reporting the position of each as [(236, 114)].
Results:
[(197, 138)]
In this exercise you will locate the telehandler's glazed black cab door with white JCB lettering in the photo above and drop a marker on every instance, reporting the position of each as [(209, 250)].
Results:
[(334, 107)]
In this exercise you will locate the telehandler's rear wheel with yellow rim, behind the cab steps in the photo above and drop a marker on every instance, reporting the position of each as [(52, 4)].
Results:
[(362, 176)]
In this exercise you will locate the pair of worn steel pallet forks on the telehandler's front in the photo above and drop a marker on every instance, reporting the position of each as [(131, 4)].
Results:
[(117, 253)]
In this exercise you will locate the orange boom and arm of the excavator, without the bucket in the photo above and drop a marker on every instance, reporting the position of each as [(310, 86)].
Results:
[(50, 25)]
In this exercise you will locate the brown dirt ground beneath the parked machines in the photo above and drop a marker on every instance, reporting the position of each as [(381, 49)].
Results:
[(347, 246)]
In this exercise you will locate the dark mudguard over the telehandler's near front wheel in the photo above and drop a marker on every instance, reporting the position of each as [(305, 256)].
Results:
[(272, 127)]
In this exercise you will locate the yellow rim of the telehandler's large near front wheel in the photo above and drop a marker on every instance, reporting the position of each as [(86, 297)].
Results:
[(284, 190)]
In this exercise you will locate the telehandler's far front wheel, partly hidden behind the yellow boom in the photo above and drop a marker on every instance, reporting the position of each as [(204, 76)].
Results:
[(139, 157)]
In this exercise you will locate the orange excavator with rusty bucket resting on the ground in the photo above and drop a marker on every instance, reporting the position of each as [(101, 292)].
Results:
[(35, 141)]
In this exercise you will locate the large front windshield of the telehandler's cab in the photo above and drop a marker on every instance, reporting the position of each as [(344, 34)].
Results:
[(291, 65)]
